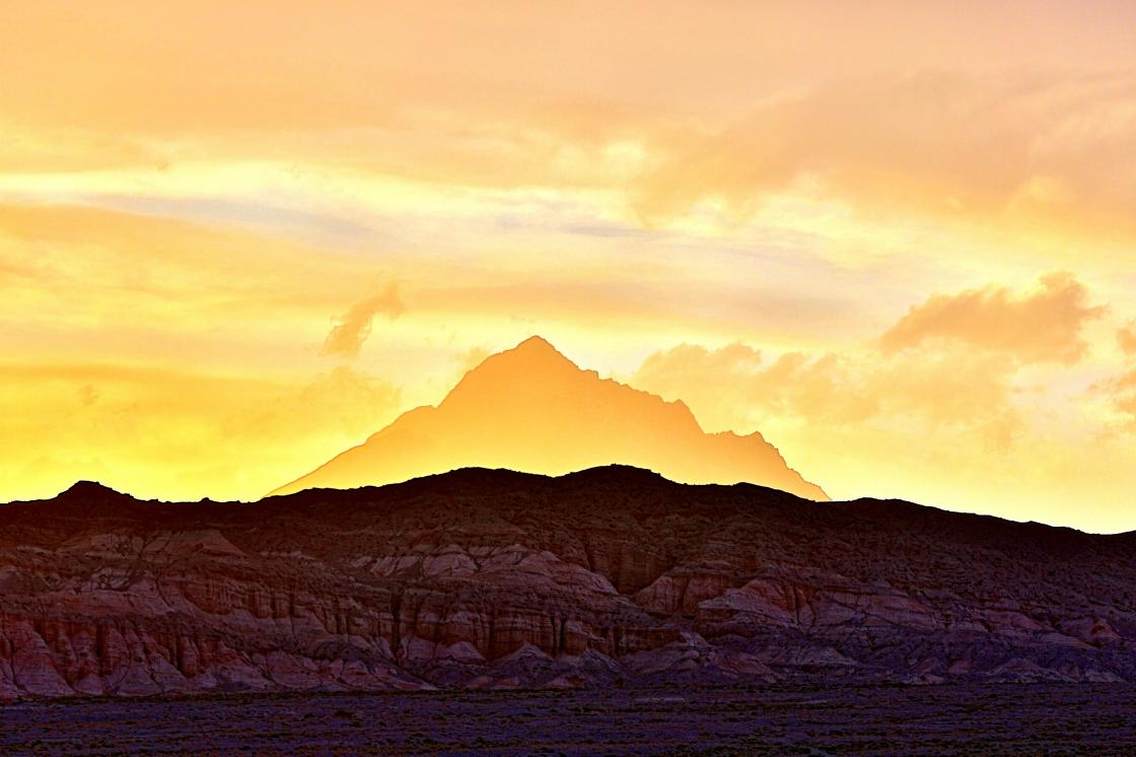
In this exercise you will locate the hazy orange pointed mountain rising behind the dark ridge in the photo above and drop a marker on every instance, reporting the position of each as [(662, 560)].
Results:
[(530, 409)]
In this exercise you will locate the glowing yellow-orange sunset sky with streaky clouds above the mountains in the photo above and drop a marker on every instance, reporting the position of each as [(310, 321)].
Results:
[(898, 238)]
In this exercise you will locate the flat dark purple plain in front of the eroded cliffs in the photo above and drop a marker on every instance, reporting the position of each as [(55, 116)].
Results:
[(988, 720)]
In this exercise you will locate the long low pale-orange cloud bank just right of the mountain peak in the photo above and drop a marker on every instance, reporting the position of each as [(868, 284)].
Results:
[(946, 388)]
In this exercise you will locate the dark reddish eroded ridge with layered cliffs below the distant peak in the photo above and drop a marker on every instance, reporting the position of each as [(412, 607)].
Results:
[(497, 579)]
